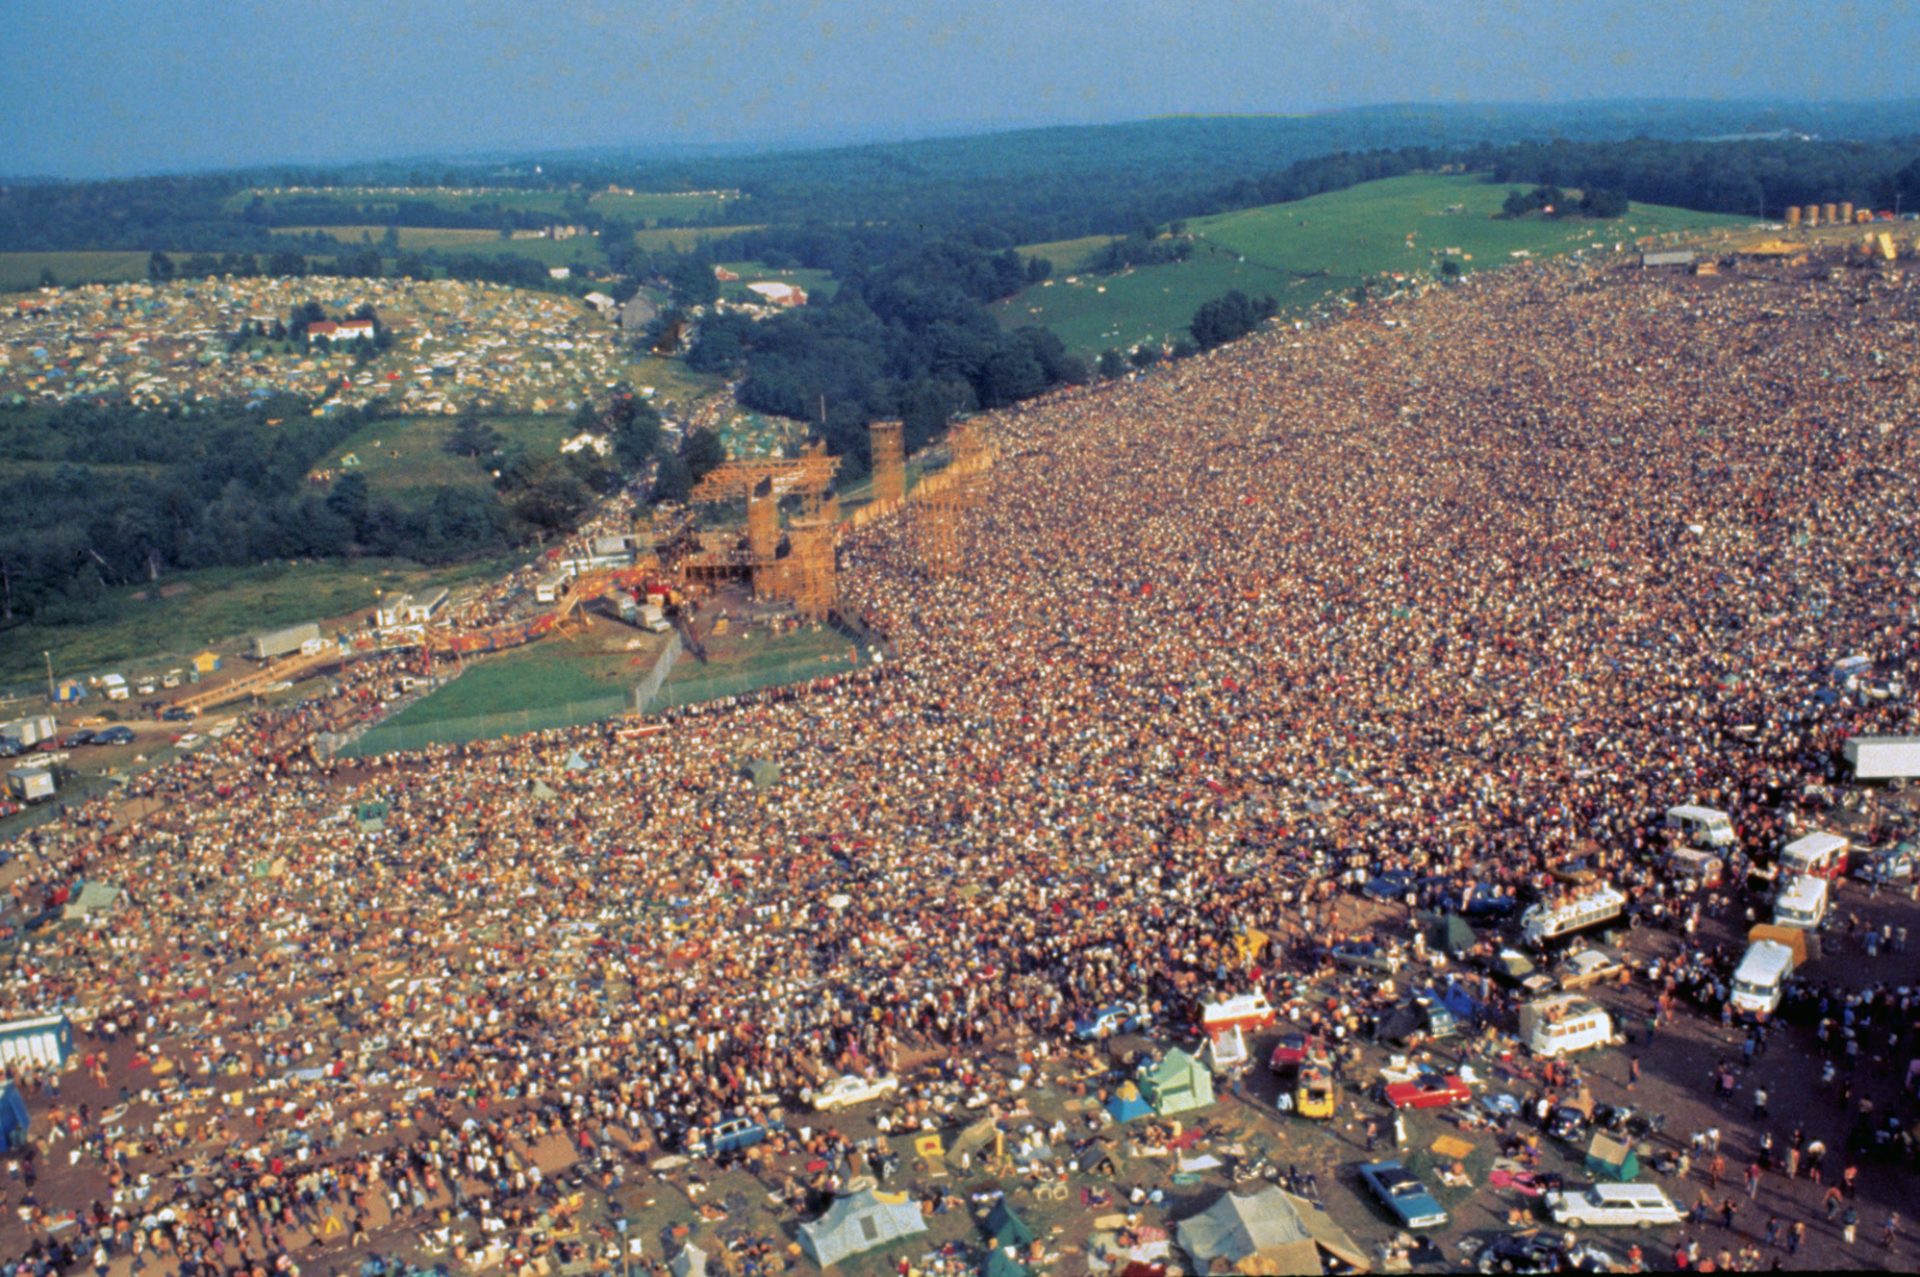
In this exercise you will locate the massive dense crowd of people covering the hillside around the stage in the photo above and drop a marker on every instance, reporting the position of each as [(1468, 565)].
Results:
[(1470, 589)]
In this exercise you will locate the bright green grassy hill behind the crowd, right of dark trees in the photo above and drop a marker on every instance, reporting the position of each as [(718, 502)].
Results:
[(1307, 251)]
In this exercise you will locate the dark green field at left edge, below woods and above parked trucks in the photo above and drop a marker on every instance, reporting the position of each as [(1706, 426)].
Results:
[(189, 612)]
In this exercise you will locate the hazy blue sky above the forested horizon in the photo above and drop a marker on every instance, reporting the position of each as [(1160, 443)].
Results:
[(183, 85)]
